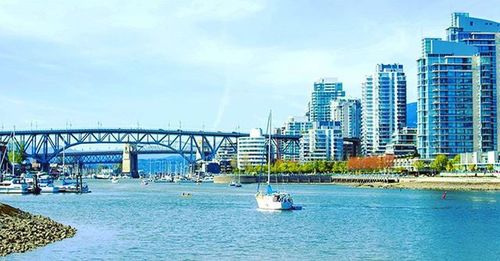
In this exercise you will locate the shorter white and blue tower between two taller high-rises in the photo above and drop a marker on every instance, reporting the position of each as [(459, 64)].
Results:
[(348, 112)]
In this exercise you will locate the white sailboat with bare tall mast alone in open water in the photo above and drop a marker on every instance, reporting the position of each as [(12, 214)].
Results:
[(271, 199)]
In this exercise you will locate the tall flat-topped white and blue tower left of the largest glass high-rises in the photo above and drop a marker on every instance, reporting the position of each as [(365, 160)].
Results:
[(383, 107)]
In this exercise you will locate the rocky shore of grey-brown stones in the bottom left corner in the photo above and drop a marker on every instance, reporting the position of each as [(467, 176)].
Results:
[(21, 231)]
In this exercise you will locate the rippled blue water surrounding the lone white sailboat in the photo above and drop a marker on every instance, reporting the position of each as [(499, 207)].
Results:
[(130, 221)]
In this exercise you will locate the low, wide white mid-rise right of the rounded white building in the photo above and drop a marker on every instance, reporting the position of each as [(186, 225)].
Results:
[(322, 142)]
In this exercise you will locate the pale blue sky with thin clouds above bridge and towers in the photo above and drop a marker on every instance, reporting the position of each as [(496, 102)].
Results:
[(200, 65)]
